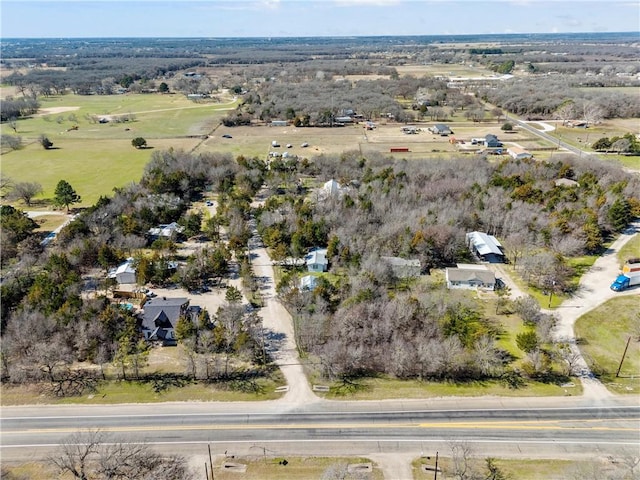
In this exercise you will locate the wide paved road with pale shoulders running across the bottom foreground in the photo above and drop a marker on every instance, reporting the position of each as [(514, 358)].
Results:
[(332, 427)]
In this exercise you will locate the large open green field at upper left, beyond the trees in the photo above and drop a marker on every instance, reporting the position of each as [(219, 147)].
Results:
[(96, 157)]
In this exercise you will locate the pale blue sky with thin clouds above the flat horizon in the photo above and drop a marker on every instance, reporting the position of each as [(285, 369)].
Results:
[(293, 18)]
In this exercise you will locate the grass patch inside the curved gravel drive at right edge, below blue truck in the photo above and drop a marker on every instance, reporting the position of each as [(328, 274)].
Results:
[(603, 334)]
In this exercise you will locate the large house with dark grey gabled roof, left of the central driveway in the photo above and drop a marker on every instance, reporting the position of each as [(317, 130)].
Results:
[(160, 317)]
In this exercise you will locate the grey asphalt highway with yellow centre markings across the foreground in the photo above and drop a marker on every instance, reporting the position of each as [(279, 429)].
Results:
[(603, 429)]
